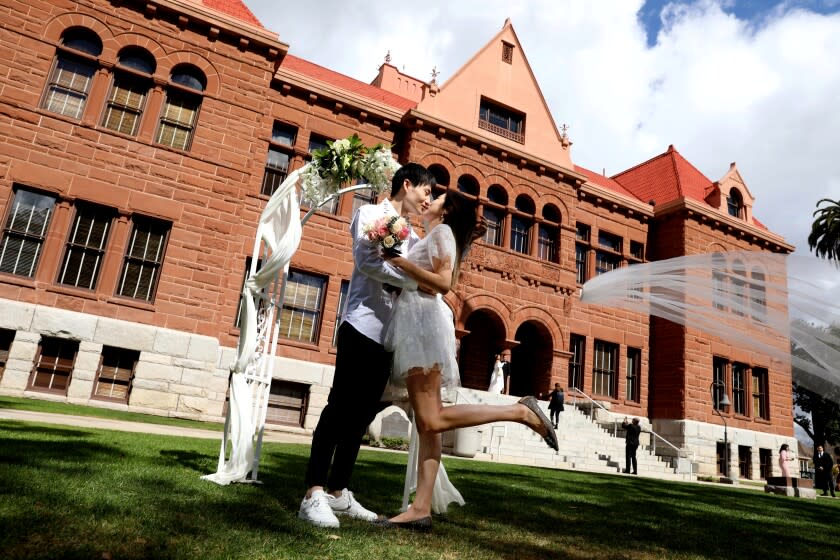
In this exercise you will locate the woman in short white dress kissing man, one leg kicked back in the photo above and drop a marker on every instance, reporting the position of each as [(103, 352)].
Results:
[(421, 334)]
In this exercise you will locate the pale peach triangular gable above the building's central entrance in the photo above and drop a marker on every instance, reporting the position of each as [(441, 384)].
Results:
[(505, 83)]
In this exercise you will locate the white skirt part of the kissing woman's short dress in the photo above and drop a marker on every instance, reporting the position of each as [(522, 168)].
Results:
[(421, 334)]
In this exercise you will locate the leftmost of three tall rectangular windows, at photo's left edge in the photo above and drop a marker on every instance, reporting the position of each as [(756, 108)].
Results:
[(24, 233)]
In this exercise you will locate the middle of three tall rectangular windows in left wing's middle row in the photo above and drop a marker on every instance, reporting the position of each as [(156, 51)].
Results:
[(86, 246)]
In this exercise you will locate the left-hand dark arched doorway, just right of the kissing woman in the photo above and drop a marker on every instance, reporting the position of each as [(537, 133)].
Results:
[(475, 357)]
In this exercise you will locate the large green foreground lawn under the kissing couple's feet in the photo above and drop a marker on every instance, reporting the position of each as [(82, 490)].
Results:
[(91, 494)]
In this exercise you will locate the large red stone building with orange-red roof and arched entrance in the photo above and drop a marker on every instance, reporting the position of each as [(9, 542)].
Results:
[(139, 142)]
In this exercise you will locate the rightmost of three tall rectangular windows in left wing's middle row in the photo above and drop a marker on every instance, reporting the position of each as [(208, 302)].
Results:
[(143, 259)]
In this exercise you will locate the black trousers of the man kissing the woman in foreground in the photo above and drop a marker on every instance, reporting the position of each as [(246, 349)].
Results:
[(362, 368)]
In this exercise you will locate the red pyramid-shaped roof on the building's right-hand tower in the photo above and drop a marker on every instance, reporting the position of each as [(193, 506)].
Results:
[(664, 178)]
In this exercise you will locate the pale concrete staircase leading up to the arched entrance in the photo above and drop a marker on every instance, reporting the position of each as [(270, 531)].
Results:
[(584, 445)]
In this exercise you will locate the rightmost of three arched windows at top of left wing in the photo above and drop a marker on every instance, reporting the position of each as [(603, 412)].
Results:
[(180, 110)]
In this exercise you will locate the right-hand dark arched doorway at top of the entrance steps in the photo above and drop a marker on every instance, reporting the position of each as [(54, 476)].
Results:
[(531, 360)]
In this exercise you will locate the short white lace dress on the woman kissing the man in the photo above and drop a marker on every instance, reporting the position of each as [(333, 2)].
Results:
[(421, 332)]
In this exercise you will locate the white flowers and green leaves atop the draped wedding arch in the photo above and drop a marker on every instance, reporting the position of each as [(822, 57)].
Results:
[(343, 162)]
